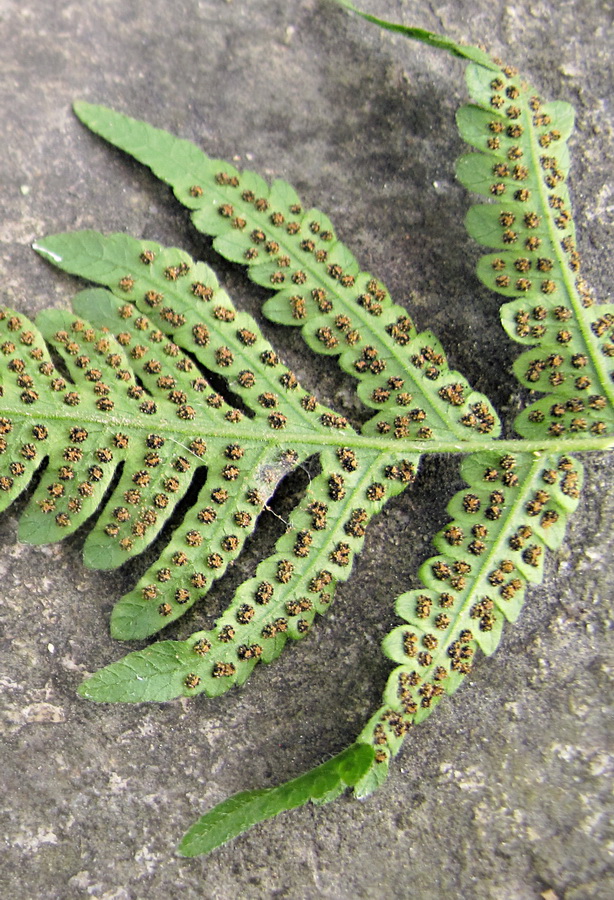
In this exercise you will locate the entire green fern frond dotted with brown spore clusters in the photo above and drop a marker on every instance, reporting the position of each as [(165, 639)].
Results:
[(117, 399)]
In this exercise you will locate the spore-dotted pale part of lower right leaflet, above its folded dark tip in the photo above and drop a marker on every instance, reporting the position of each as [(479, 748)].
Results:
[(516, 507)]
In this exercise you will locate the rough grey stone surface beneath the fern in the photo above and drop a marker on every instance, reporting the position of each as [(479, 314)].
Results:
[(504, 792)]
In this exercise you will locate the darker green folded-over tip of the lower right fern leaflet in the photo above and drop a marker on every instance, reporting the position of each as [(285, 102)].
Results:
[(239, 812)]
